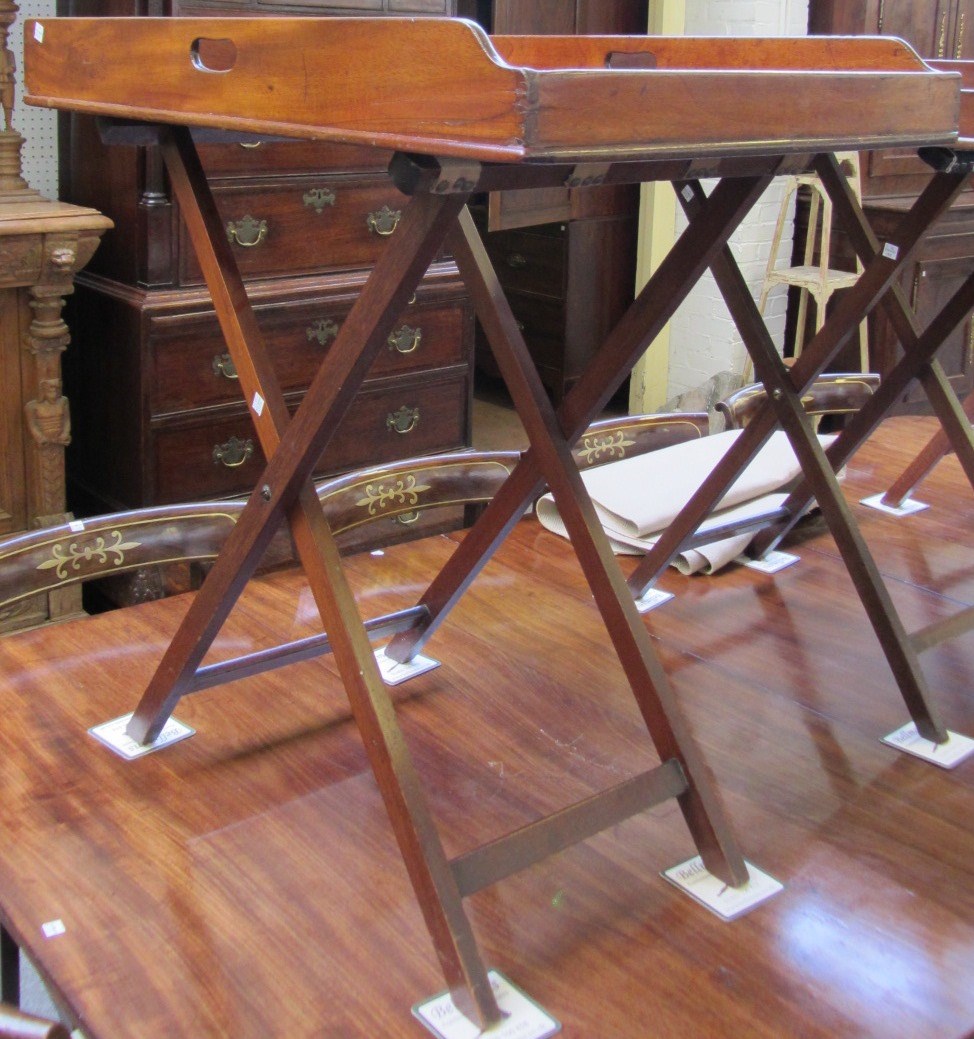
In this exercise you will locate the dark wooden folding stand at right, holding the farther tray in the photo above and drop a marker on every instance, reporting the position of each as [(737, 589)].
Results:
[(877, 286)]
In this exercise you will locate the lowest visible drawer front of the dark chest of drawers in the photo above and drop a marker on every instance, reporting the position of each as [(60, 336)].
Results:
[(210, 460)]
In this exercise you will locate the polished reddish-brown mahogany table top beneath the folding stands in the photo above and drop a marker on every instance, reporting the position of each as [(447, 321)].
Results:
[(246, 882)]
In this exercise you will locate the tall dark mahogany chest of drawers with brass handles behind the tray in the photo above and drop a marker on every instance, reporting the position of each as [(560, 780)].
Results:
[(157, 414)]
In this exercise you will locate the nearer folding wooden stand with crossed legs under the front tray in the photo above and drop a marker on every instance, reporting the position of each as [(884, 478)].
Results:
[(285, 492)]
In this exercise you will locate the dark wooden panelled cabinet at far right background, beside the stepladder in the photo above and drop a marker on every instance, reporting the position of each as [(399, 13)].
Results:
[(892, 179)]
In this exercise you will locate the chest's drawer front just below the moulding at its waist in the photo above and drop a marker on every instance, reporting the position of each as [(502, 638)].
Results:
[(191, 367)]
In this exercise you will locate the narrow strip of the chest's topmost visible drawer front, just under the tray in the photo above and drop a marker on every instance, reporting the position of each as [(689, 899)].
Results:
[(258, 158)]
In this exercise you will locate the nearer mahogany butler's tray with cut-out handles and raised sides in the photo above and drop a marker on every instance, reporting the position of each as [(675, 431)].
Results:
[(442, 87)]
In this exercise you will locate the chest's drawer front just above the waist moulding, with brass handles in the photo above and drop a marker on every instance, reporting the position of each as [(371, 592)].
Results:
[(303, 227)]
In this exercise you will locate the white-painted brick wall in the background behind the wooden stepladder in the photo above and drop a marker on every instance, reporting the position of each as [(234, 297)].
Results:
[(703, 338)]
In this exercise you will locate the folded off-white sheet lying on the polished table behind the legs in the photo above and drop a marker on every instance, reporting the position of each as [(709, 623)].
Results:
[(638, 498)]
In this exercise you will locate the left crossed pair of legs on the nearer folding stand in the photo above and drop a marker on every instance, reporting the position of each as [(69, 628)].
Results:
[(293, 449)]
